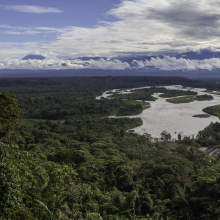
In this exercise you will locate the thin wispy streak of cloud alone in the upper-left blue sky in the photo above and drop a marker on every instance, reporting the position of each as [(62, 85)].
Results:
[(31, 9)]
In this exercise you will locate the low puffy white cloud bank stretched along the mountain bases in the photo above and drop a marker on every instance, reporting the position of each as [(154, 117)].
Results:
[(165, 64)]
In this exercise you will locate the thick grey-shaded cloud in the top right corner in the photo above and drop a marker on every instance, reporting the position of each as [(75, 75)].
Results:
[(194, 19)]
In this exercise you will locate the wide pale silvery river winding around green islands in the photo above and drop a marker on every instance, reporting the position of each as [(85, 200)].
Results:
[(174, 118)]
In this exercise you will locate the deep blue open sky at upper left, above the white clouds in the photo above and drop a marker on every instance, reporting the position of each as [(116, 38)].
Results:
[(86, 13)]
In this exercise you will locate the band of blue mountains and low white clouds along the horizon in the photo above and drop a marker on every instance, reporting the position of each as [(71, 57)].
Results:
[(207, 61)]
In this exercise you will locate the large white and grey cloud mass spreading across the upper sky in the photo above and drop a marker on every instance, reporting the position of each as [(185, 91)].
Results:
[(139, 26)]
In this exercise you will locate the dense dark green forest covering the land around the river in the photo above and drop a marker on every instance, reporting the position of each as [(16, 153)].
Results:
[(61, 157)]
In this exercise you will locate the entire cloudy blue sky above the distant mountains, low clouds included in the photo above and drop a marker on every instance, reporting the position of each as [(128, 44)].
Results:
[(65, 29)]
